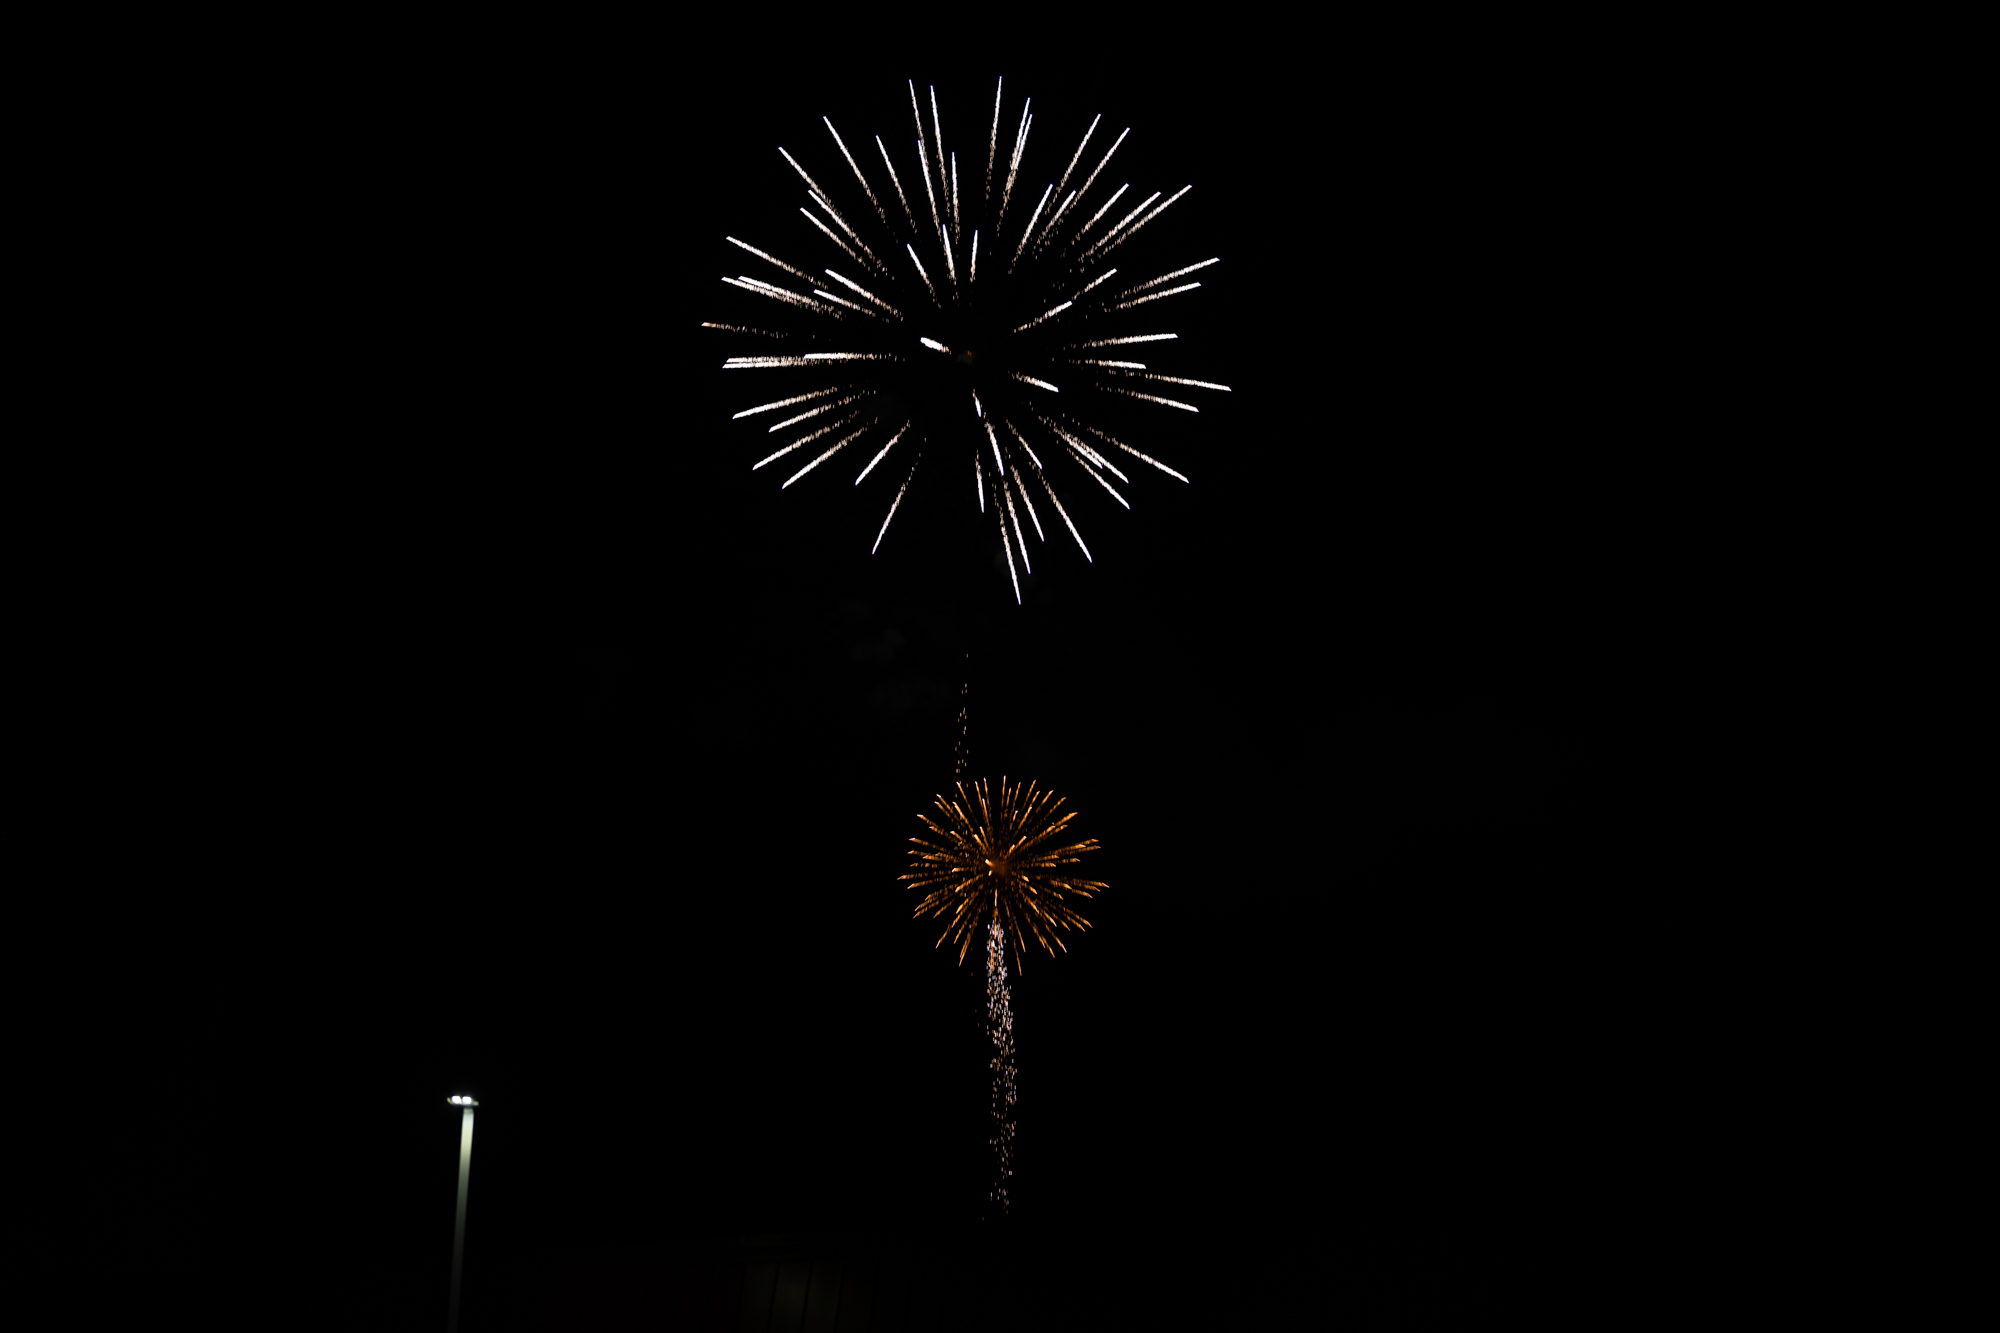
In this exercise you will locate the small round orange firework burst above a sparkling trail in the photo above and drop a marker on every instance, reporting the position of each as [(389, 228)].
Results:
[(995, 864)]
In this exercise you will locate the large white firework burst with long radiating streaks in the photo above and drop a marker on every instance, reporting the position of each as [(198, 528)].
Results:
[(959, 319)]
